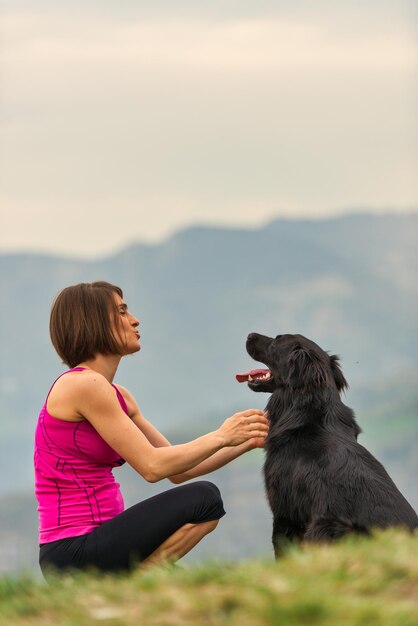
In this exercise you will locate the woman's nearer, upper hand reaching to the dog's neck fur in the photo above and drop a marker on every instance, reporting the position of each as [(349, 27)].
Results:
[(250, 425)]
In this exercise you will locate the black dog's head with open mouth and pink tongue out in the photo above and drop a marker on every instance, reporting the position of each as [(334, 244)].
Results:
[(293, 362)]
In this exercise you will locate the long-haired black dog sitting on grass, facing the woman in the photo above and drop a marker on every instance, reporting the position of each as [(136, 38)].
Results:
[(320, 482)]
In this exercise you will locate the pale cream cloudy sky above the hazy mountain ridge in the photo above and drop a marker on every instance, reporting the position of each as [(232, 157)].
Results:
[(126, 121)]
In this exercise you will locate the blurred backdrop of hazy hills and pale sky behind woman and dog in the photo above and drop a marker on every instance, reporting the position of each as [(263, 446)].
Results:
[(234, 168)]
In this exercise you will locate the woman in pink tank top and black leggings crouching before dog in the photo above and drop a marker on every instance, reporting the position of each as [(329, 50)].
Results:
[(88, 425)]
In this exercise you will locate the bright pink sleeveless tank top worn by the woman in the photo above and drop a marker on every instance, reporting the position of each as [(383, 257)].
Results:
[(74, 483)]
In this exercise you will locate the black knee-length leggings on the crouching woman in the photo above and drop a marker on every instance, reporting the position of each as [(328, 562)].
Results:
[(130, 537)]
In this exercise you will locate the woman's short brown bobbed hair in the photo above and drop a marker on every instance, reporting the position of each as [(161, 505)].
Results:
[(80, 319)]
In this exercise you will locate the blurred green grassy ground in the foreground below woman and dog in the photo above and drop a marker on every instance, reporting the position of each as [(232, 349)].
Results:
[(358, 582)]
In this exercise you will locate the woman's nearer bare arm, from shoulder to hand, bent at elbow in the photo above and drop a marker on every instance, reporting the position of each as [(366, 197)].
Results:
[(96, 401)]
